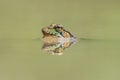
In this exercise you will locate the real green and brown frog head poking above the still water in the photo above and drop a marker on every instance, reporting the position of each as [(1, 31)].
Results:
[(56, 30)]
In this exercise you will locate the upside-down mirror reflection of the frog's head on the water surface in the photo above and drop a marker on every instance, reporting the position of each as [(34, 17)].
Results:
[(57, 48)]
